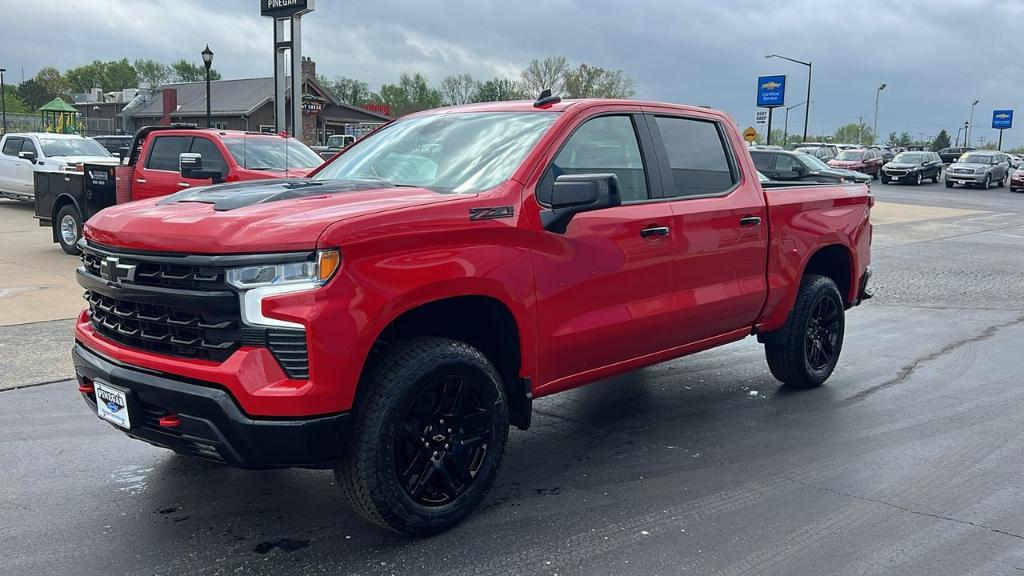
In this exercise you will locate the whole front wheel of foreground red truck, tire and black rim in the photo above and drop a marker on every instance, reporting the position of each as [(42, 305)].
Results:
[(429, 437)]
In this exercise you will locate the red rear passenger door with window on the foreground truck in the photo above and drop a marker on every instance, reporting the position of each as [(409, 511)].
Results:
[(719, 226)]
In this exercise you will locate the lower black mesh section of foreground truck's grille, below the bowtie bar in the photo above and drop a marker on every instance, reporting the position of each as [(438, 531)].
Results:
[(165, 330)]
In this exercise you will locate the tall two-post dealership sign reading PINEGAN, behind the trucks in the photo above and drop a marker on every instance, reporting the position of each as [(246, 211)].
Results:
[(287, 13)]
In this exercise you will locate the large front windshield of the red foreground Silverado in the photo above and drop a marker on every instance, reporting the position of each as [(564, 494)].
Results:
[(460, 152)]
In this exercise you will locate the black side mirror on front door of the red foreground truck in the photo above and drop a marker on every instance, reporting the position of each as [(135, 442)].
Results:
[(573, 194)]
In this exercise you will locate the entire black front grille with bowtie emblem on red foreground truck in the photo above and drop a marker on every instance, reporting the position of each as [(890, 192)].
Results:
[(182, 320)]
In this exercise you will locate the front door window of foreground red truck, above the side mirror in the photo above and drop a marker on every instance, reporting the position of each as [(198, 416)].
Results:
[(605, 145)]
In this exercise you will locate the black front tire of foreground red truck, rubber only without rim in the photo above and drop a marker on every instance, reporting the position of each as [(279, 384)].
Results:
[(368, 472)]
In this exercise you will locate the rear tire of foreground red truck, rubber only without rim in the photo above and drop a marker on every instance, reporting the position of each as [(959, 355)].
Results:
[(787, 351)]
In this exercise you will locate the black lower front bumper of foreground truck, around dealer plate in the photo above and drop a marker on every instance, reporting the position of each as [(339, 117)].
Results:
[(211, 425)]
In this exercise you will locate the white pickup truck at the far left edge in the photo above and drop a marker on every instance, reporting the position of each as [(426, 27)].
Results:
[(24, 154)]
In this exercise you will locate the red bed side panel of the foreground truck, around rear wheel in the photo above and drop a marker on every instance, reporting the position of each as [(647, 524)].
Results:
[(803, 221)]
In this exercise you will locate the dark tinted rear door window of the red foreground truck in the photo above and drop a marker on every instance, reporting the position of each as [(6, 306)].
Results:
[(698, 156)]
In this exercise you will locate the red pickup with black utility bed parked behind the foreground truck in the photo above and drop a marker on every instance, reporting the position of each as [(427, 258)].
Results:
[(163, 160)]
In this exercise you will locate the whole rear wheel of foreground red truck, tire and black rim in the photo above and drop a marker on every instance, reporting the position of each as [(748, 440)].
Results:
[(805, 352)]
